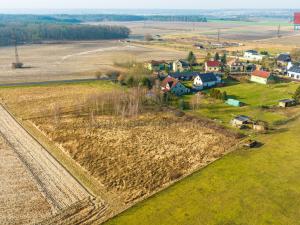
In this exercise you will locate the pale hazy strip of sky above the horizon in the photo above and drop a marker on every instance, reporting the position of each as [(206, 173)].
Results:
[(146, 4)]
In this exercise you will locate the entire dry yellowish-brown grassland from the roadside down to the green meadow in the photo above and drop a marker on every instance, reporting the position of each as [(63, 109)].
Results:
[(131, 157)]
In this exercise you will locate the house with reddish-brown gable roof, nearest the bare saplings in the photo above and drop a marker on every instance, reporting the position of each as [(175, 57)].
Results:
[(170, 84)]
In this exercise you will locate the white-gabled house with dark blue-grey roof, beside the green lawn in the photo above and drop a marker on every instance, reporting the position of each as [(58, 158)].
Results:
[(206, 80)]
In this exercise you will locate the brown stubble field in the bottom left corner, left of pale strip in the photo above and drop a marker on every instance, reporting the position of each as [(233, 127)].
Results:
[(21, 202)]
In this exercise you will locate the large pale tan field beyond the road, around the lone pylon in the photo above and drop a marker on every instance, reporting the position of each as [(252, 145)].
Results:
[(74, 60)]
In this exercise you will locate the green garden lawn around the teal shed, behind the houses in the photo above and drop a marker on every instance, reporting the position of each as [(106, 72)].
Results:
[(254, 96)]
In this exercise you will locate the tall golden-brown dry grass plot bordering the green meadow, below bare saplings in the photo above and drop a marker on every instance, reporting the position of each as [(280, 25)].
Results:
[(137, 156)]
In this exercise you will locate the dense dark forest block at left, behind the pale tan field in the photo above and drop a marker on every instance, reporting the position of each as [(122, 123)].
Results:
[(35, 33)]
